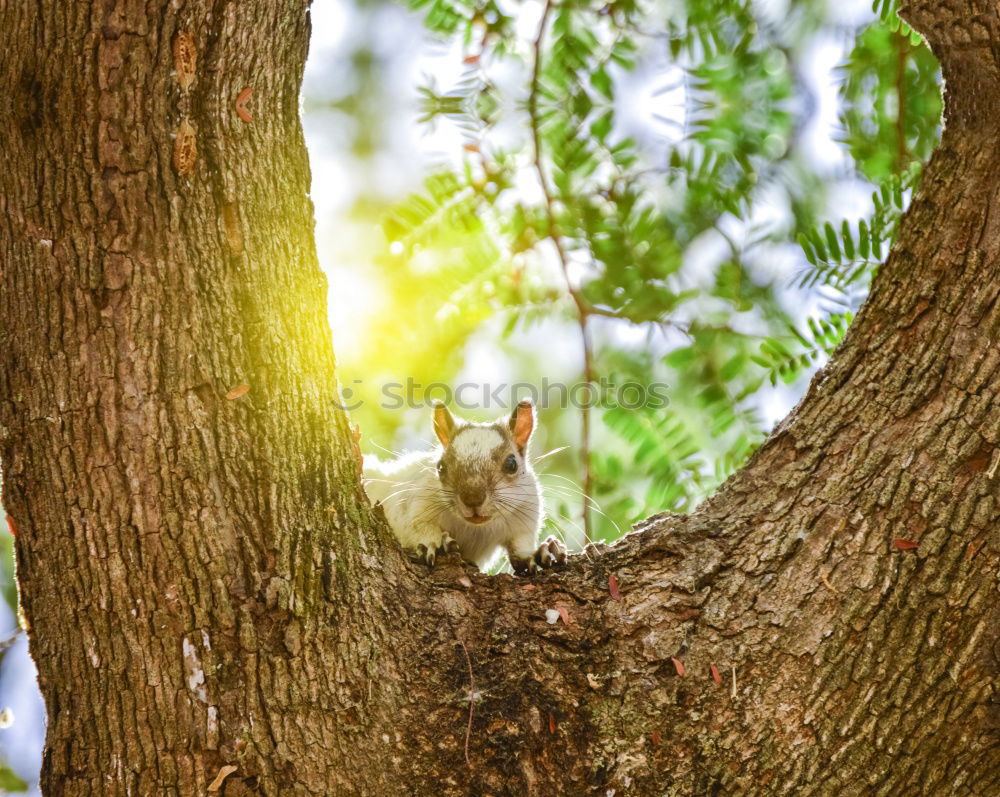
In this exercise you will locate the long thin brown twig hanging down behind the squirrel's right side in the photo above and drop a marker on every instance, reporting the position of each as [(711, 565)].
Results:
[(582, 310)]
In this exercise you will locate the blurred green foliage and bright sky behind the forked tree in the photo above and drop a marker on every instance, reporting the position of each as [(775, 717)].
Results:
[(690, 195)]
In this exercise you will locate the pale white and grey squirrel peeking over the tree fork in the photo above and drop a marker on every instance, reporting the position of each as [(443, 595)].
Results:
[(476, 492)]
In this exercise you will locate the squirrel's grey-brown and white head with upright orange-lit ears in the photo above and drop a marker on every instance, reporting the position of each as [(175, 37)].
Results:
[(483, 469)]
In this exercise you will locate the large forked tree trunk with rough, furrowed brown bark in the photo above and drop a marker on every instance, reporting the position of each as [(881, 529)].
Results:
[(207, 586)]
